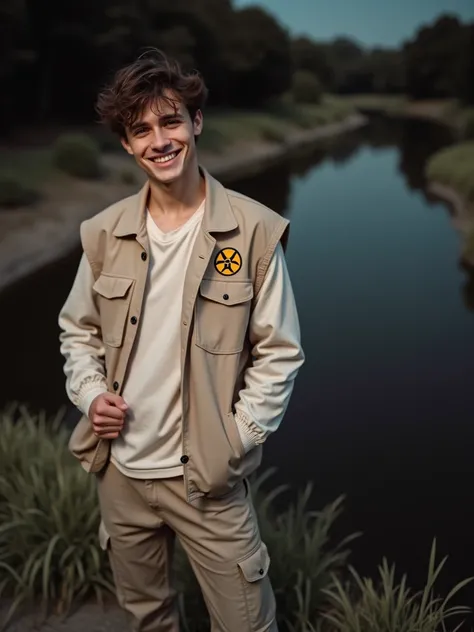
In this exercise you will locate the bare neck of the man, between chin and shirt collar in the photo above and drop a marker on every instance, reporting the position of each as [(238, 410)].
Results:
[(178, 197)]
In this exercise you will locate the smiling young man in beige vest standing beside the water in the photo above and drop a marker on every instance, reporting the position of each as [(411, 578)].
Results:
[(181, 343)]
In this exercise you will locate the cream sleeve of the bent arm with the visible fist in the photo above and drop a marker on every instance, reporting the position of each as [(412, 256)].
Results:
[(80, 341)]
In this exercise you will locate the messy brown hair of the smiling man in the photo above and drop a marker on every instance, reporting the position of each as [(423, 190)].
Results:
[(152, 77)]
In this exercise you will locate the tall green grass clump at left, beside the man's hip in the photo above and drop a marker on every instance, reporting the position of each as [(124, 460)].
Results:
[(49, 518)]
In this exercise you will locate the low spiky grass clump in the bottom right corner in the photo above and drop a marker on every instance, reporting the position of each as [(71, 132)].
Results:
[(362, 606)]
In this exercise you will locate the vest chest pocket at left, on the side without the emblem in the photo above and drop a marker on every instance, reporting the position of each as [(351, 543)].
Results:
[(114, 302)]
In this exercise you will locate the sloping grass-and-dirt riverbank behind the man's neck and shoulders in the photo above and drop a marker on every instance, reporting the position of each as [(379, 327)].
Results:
[(34, 237)]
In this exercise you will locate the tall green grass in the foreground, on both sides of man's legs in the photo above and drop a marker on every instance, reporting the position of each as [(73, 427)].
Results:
[(50, 554)]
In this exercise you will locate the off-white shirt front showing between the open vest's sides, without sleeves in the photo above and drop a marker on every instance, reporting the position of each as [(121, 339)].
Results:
[(150, 444)]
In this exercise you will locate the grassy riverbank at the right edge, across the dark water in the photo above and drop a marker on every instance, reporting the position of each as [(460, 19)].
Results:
[(450, 173)]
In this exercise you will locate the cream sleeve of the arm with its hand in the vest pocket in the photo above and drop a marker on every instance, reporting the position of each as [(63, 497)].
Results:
[(277, 356)]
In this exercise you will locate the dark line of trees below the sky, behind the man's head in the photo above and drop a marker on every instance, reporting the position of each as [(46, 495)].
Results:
[(55, 56)]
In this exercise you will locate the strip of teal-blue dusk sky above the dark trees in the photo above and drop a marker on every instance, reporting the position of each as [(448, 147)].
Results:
[(372, 22)]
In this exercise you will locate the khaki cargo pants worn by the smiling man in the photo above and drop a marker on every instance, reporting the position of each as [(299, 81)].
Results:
[(140, 520)]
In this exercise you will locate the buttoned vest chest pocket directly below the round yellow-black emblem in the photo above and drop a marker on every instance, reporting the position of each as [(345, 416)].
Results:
[(222, 315)]
